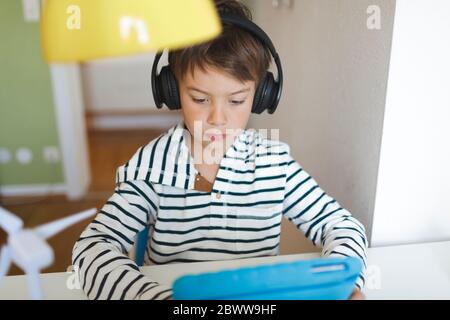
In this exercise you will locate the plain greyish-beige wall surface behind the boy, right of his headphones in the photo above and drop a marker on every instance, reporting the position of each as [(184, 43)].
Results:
[(331, 113)]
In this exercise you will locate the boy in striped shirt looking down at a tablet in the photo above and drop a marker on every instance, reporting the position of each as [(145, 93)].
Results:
[(208, 188)]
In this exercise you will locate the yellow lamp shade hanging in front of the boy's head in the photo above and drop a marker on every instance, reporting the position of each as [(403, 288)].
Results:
[(81, 30)]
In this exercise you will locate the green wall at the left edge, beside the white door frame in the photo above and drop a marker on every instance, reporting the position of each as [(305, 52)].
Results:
[(27, 115)]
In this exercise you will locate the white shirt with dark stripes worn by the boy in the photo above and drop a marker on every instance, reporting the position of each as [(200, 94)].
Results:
[(257, 183)]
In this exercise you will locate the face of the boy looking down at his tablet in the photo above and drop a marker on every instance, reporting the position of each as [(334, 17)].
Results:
[(217, 103)]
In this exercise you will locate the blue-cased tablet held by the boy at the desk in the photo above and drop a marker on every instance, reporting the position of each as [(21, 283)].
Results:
[(317, 279)]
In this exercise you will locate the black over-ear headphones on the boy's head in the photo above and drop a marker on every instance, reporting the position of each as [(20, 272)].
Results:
[(267, 94)]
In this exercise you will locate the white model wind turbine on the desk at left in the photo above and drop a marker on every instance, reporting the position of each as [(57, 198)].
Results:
[(28, 249)]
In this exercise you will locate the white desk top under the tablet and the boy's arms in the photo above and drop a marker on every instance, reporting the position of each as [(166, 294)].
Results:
[(417, 271)]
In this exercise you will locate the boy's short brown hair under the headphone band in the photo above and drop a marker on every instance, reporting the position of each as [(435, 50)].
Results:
[(235, 51)]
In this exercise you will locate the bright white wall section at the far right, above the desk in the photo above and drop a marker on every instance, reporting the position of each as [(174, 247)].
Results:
[(412, 202)]
